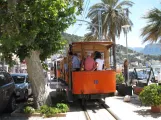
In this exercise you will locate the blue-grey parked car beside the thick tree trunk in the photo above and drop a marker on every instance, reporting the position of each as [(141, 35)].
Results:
[(23, 86)]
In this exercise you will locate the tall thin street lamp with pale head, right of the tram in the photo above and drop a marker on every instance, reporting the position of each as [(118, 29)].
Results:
[(125, 27)]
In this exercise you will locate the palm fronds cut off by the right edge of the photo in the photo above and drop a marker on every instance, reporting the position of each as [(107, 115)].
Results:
[(152, 31)]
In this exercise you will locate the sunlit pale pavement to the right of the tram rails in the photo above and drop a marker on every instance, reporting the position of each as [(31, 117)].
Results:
[(131, 110)]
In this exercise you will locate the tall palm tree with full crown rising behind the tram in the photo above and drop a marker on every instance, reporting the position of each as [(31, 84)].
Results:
[(113, 18)]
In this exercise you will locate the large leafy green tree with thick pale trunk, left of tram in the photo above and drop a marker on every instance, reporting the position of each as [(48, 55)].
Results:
[(32, 29)]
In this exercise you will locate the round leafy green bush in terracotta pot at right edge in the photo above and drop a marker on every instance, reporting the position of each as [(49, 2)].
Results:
[(151, 96)]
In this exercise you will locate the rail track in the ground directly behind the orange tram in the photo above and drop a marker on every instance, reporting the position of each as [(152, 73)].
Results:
[(98, 110)]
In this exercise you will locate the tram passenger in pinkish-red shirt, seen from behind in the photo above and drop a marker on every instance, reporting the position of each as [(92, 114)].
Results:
[(89, 63)]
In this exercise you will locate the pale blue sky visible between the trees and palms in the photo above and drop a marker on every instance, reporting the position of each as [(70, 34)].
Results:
[(139, 8)]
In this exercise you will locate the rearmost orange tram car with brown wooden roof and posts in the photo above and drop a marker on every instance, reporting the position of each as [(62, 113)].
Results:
[(91, 84)]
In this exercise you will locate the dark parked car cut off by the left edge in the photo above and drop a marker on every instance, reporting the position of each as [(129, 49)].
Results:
[(7, 92)]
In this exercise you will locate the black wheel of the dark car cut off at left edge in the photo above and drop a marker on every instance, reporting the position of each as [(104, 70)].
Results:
[(11, 104)]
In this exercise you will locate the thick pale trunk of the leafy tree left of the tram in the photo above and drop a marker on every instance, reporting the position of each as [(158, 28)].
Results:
[(37, 79)]
